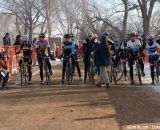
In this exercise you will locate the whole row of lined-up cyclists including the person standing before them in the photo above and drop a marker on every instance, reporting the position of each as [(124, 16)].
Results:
[(99, 51)]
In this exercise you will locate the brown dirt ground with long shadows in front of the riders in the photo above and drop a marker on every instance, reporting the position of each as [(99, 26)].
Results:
[(79, 107)]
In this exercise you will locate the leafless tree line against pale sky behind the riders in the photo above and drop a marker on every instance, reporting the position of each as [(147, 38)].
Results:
[(80, 16)]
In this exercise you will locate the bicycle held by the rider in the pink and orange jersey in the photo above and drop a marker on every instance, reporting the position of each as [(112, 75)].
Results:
[(46, 70)]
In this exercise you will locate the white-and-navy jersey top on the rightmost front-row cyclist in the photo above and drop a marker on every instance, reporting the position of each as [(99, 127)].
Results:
[(152, 50)]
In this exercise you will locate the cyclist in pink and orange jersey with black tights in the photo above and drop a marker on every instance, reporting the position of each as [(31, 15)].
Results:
[(42, 46)]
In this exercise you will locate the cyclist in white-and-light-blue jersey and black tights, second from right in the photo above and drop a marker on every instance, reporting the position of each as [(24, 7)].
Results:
[(134, 48)]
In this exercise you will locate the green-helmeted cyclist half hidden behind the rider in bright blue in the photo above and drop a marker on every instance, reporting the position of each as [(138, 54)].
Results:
[(75, 61)]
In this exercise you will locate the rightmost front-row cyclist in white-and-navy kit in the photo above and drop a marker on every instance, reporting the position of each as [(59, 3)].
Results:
[(152, 52)]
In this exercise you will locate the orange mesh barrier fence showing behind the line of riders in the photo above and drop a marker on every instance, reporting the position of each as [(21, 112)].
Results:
[(12, 58)]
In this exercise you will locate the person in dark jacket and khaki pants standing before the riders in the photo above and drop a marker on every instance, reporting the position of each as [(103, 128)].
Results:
[(103, 59)]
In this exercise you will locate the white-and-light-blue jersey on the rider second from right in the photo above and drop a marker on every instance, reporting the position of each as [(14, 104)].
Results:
[(134, 45)]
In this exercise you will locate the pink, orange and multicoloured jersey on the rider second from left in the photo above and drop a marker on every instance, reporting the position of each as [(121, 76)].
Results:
[(42, 46)]
